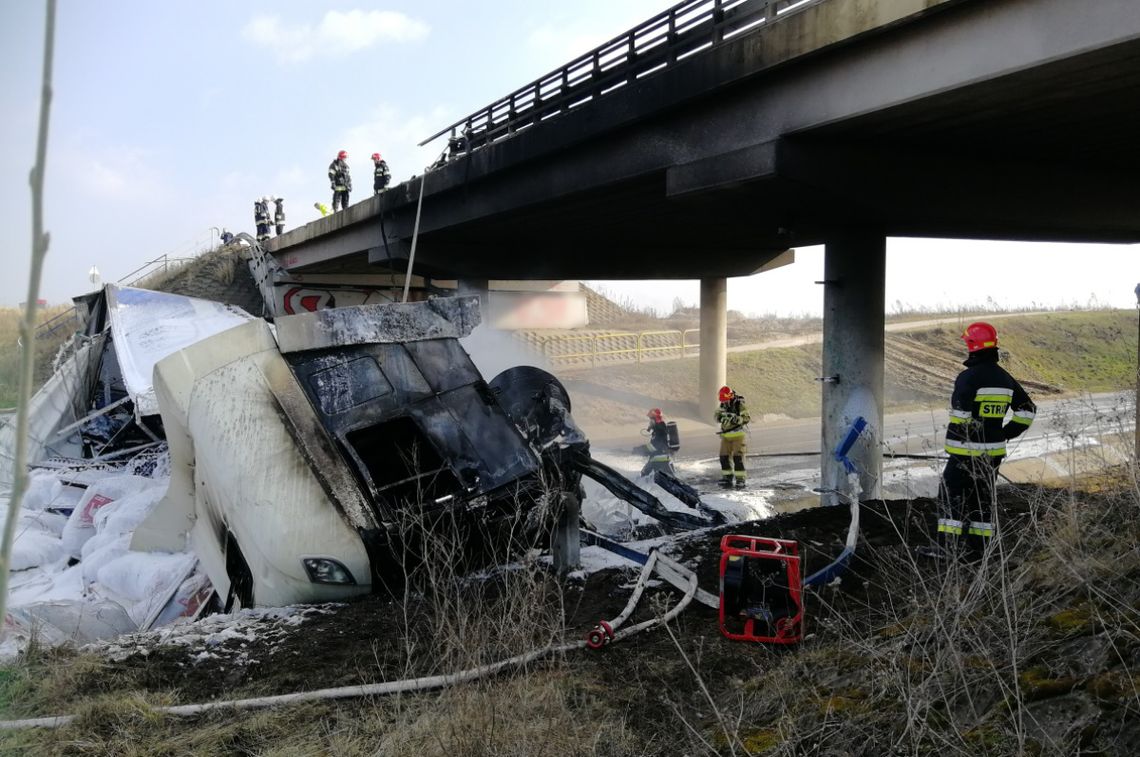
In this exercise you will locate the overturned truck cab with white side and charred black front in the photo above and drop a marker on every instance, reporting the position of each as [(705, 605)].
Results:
[(310, 455)]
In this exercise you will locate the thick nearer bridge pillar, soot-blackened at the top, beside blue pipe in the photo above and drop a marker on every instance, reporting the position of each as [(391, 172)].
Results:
[(854, 292)]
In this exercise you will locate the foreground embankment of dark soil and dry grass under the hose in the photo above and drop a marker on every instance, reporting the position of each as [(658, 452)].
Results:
[(1036, 650)]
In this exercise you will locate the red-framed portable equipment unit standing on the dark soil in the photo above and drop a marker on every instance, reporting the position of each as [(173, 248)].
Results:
[(761, 590)]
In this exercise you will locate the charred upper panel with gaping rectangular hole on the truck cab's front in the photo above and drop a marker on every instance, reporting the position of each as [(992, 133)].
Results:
[(417, 422)]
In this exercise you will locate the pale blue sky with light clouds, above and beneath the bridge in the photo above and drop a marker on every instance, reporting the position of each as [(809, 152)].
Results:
[(169, 119)]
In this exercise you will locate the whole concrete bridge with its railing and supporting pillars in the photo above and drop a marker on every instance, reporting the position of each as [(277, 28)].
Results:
[(718, 135)]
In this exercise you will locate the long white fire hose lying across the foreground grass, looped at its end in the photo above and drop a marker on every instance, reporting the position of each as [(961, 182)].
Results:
[(689, 587)]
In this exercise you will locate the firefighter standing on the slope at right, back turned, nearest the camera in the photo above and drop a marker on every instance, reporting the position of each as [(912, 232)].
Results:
[(976, 437)]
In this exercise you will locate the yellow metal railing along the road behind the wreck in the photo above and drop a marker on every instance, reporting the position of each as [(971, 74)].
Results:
[(608, 348)]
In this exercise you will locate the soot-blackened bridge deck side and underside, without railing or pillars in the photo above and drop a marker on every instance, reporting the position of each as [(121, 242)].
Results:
[(897, 134)]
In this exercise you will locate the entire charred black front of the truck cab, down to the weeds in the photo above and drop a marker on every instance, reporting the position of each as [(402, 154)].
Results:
[(431, 449)]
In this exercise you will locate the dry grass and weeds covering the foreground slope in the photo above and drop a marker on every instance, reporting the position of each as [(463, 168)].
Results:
[(1032, 653)]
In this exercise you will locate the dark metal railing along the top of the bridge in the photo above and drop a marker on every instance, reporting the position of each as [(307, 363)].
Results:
[(675, 35)]
